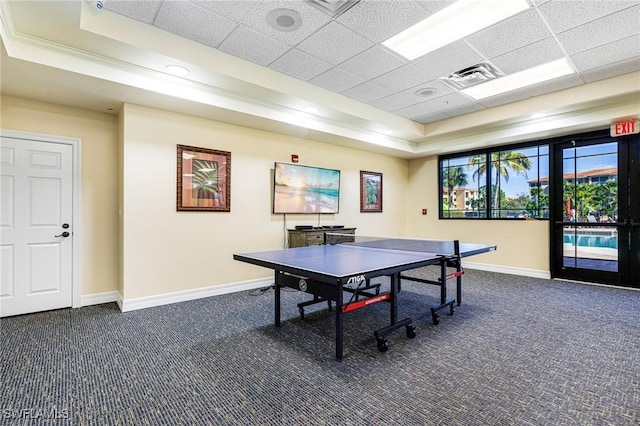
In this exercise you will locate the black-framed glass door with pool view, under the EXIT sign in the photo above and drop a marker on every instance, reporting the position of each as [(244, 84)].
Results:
[(593, 207)]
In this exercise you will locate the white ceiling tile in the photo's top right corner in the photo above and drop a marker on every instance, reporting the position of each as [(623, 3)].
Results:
[(567, 14)]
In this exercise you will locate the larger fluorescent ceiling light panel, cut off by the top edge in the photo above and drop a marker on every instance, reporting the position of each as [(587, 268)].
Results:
[(452, 23)]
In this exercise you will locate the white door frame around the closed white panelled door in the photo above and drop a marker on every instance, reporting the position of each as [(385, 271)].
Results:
[(76, 257)]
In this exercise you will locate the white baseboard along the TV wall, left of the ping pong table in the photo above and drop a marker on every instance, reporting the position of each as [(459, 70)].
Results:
[(183, 296)]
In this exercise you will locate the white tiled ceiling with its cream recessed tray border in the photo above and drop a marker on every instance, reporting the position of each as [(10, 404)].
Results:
[(263, 63)]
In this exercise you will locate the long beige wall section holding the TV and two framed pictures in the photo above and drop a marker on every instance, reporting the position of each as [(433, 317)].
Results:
[(167, 251)]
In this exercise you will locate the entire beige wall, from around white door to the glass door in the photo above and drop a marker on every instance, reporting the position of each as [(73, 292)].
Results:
[(150, 249)]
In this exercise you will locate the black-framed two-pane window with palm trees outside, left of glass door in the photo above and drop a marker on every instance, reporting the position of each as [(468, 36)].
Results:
[(502, 184)]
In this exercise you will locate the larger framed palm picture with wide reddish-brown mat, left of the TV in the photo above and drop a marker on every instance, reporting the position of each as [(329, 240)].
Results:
[(203, 179)]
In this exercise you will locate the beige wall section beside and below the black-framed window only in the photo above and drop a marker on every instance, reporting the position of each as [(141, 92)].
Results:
[(521, 244)]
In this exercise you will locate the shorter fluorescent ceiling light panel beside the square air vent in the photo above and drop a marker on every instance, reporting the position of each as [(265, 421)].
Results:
[(528, 77)]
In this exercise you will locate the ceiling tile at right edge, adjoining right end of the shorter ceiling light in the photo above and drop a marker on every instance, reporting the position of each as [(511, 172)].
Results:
[(611, 53)]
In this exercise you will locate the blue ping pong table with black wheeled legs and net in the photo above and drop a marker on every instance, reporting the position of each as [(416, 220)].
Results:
[(343, 267)]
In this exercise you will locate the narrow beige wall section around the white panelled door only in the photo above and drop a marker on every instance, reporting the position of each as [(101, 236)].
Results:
[(99, 138)]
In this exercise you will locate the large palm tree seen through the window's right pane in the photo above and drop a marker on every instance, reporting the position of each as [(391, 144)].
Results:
[(502, 162)]
